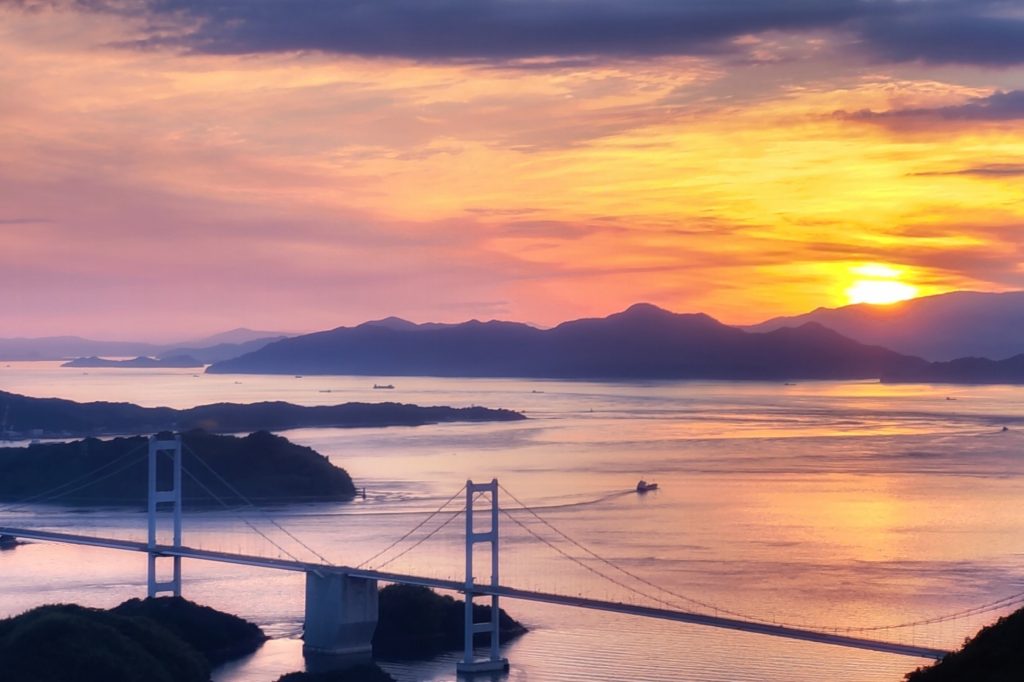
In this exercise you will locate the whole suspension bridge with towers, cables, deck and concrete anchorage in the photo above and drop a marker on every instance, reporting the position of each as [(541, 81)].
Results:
[(342, 601)]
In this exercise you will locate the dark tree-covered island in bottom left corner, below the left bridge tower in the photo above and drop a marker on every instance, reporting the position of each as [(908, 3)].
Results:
[(167, 640)]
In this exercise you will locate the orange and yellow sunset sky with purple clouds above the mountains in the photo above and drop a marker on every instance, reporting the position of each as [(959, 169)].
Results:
[(173, 168)]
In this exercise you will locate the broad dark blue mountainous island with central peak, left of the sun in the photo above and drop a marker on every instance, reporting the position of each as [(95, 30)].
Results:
[(644, 343)]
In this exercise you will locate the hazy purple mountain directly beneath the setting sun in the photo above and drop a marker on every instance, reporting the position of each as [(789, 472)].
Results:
[(936, 328)]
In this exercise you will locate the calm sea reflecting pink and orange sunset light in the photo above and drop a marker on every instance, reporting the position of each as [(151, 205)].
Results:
[(850, 507)]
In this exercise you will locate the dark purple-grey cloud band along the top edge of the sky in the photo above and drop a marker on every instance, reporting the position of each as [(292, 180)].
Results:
[(974, 32)]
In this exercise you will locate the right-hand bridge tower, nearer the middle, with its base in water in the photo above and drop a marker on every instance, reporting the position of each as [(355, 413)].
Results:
[(494, 663)]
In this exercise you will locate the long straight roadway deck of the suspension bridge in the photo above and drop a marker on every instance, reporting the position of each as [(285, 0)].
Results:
[(504, 592)]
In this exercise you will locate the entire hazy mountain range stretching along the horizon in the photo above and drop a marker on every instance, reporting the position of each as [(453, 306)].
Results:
[(963, 337)]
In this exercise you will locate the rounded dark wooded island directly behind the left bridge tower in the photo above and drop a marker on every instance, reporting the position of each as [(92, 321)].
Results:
[(264, 467)]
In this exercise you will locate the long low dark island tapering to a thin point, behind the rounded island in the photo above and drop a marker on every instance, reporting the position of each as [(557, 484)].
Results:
[(39, 418)]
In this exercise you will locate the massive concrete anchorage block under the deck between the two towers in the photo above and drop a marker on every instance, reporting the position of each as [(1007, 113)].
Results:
[(342, 616)]
